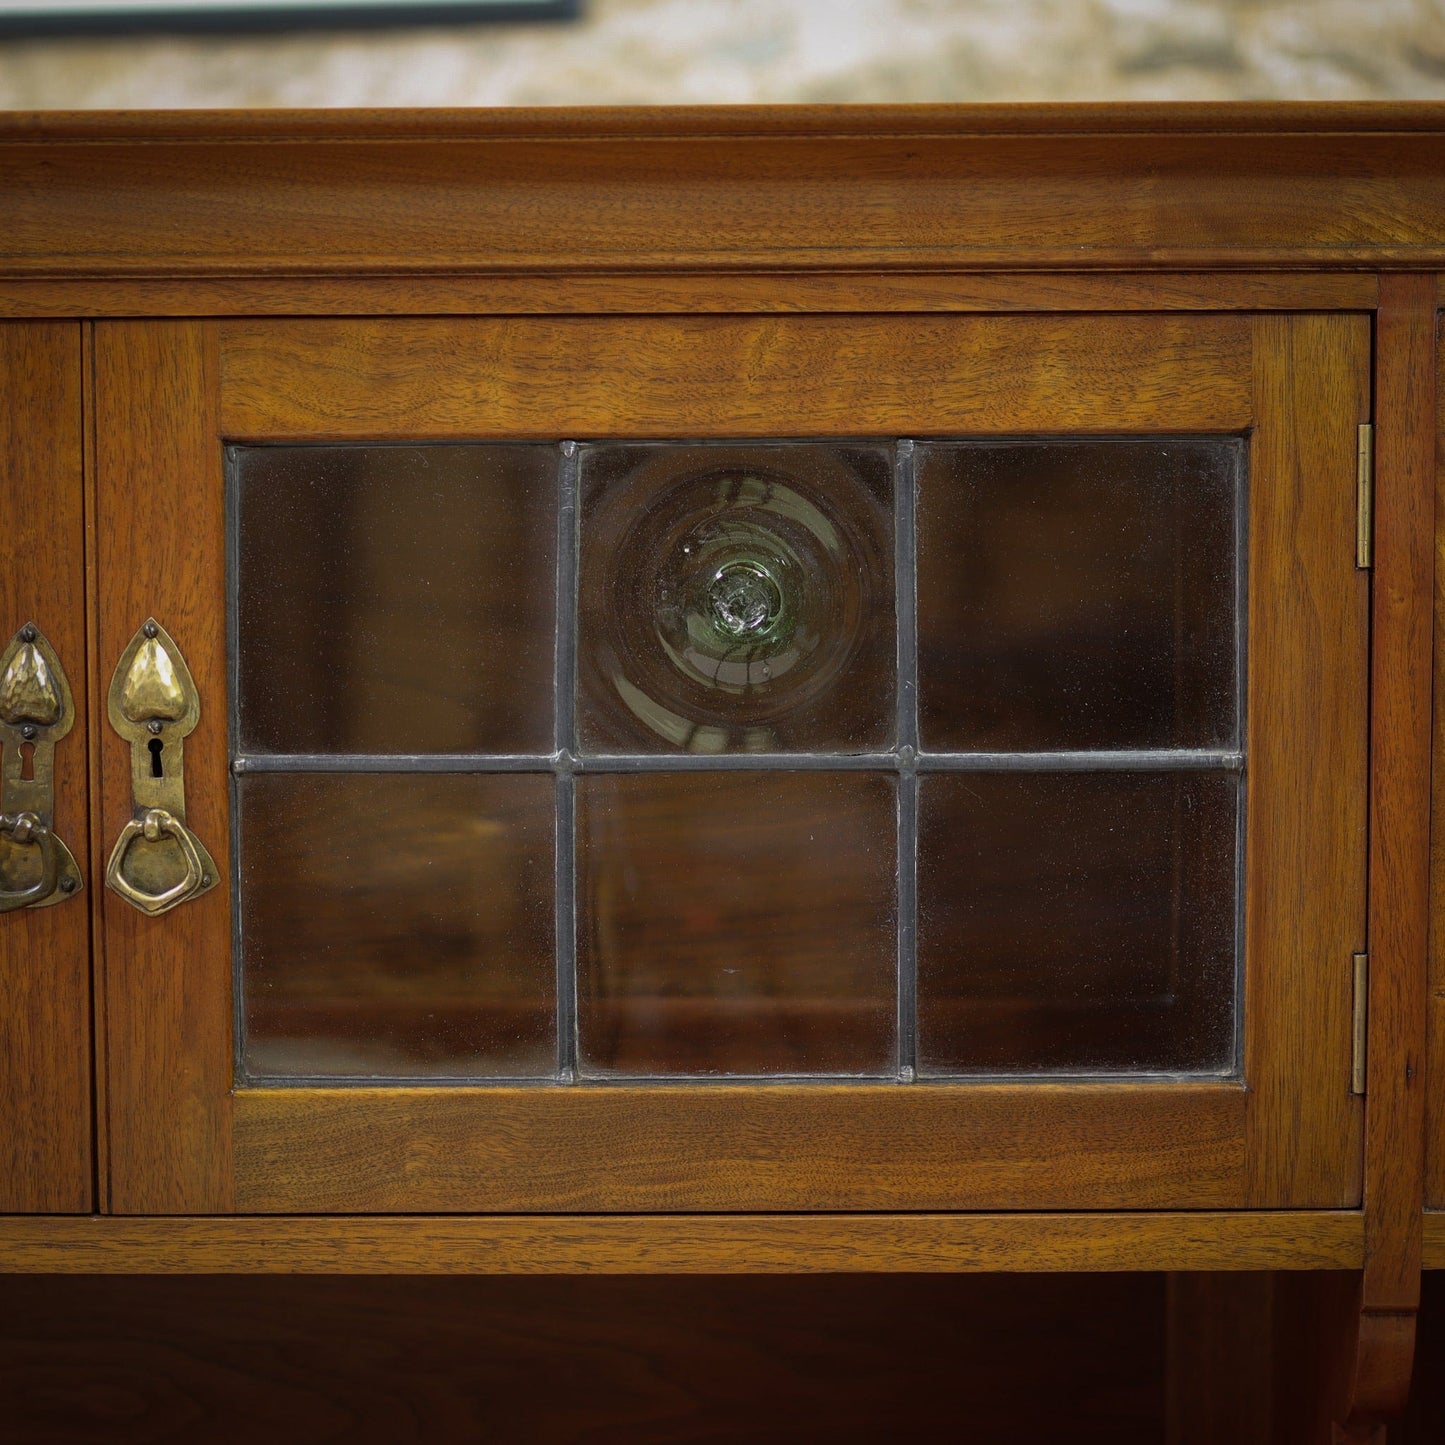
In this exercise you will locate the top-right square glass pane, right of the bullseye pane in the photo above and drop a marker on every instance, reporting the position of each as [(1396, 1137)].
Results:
[(1077, 595)]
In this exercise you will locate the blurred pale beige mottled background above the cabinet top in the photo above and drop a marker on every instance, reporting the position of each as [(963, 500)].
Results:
[(739, 51)]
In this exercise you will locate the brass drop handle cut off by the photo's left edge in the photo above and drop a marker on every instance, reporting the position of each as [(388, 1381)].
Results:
[(37, 710)]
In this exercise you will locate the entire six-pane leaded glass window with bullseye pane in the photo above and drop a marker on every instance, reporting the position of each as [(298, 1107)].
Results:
[(634, 762)]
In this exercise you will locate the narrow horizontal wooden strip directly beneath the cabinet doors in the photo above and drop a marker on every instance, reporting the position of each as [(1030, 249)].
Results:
[(686, 1245)]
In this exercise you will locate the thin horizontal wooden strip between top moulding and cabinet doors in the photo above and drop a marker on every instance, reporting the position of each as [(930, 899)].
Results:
[(691, 293)]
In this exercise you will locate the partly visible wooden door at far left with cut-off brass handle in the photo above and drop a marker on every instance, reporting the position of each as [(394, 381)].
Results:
[(46, 957)]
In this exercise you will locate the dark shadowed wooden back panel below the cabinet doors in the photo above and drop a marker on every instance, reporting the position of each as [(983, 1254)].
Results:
[(583, 1362)]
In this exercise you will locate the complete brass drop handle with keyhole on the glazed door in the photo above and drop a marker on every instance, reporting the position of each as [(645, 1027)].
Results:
[(157, 862)]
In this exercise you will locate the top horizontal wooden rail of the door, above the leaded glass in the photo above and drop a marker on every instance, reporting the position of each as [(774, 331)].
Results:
[(733, 376)]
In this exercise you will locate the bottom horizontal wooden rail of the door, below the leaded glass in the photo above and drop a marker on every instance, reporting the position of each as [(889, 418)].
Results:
[(739, 1148)]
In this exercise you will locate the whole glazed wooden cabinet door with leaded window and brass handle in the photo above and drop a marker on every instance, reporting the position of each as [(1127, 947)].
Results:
[(651, 764)]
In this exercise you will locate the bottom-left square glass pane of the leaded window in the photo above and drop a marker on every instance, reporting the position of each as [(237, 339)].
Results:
[(398, 926)]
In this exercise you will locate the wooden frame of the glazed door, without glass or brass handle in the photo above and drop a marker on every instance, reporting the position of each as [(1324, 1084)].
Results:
[(186, 1141)]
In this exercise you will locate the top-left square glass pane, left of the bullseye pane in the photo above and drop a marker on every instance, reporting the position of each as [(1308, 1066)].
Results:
[(397, 599)]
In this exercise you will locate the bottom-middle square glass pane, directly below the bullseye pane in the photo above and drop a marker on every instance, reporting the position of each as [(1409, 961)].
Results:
[(738, 924)]
